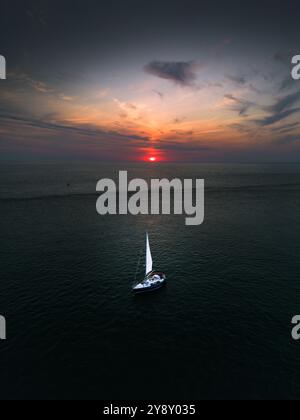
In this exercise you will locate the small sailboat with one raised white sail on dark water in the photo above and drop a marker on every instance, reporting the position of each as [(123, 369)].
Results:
[(154, 279)]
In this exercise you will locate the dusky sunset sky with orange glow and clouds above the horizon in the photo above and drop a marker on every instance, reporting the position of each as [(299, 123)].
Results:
[(183, 81)]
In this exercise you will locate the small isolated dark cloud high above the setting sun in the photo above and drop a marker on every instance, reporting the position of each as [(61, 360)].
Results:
[(182, 73)]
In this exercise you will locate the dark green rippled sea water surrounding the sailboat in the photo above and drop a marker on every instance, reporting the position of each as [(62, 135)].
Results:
[(221, 329)]
